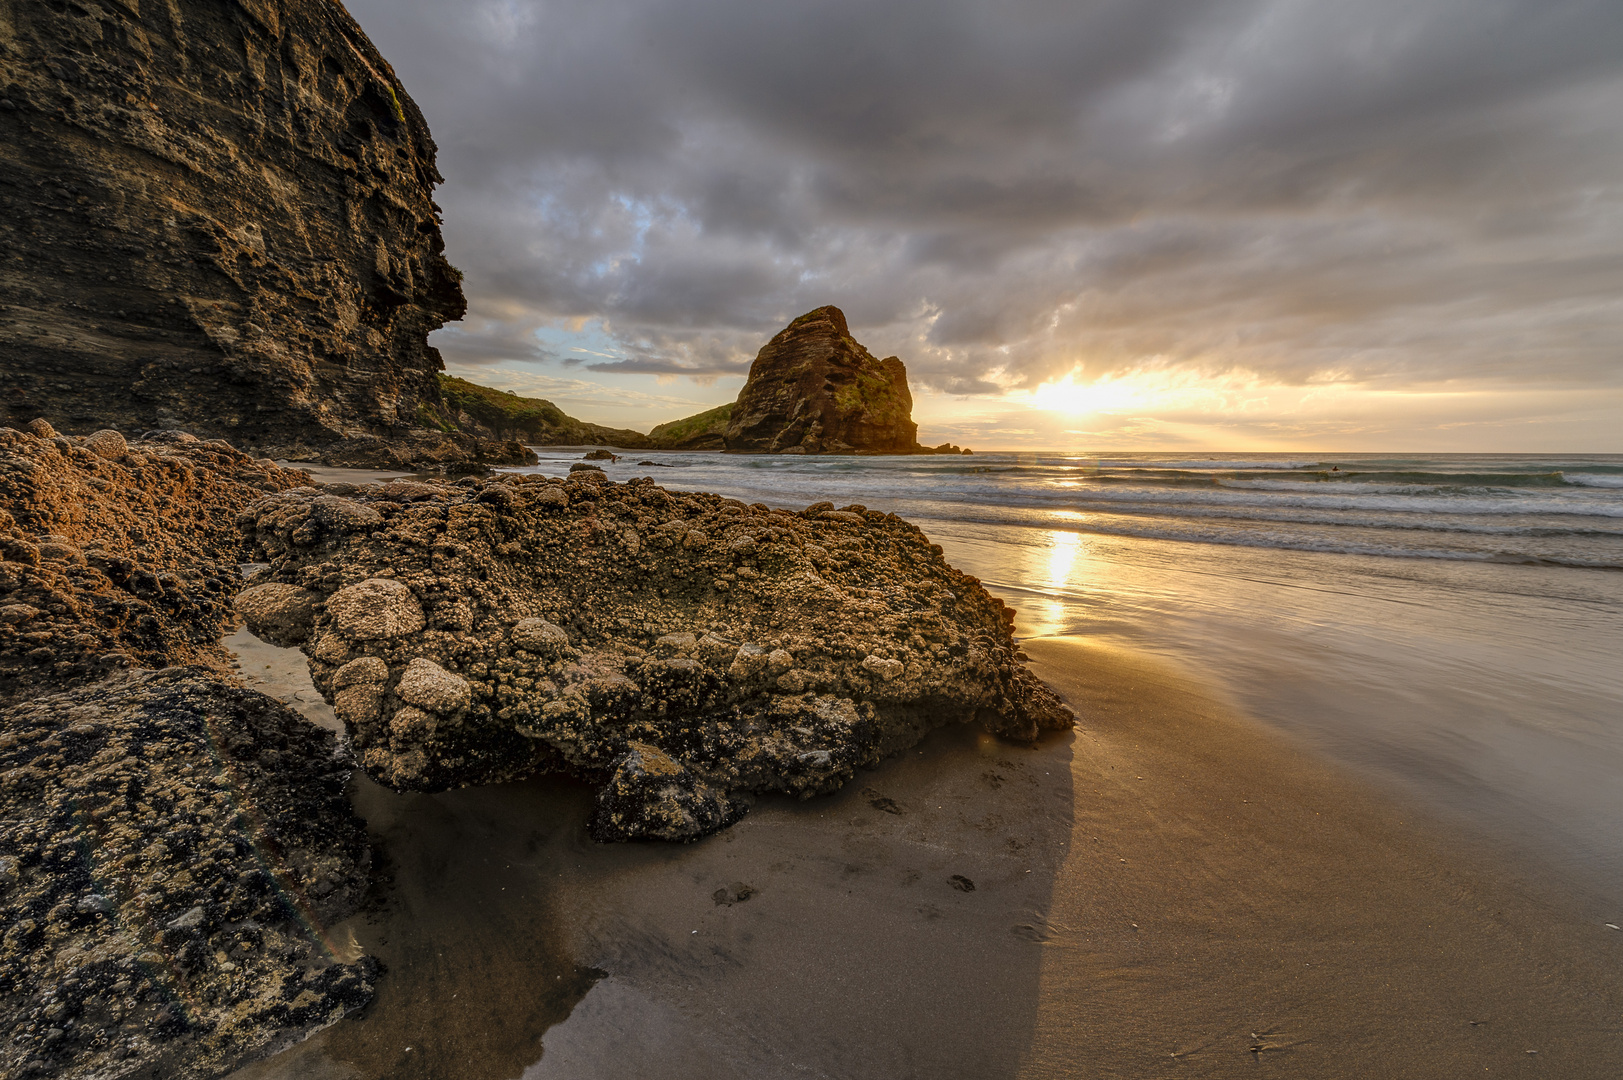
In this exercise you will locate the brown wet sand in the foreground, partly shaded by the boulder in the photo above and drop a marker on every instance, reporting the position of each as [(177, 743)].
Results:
[(1173, 891)]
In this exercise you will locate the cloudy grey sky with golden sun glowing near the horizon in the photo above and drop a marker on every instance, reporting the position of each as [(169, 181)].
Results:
[(1242, 225)]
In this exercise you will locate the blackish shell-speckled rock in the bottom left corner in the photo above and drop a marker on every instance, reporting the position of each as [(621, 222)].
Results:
[(171, 850)]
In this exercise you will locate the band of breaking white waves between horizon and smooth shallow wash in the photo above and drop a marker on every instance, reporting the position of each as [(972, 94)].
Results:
[(1536, 511)]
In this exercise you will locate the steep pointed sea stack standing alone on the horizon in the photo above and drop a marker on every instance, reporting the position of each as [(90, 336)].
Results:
[(816, 391)]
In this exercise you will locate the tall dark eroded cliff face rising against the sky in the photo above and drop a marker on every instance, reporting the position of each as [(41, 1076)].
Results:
[(217, 217)]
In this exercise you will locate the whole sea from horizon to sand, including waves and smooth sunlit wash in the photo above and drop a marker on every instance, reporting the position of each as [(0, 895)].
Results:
[(1447, 626)]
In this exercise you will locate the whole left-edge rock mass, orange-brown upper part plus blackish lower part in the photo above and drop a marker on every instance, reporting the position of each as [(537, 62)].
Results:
[(171, 845)]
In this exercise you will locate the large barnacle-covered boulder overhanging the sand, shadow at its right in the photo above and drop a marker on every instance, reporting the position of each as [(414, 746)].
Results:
[(684, 649)]
